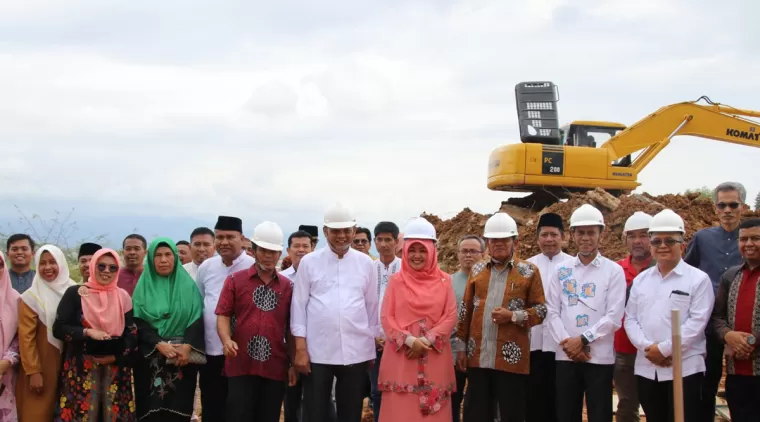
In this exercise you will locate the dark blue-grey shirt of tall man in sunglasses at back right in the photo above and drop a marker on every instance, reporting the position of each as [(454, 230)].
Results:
[(713, 250)]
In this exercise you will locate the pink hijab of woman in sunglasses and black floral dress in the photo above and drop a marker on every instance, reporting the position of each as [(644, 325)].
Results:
[(104, 306)]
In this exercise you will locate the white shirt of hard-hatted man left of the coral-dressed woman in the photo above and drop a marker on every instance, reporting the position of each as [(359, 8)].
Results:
[(335, 307)]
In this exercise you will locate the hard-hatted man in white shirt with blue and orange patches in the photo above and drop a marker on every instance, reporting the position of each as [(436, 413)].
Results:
[(585, 300)]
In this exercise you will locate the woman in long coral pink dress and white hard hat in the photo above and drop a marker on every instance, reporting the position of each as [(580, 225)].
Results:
[(418, 314)]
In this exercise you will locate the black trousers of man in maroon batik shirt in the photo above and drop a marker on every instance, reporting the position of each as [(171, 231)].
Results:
[(254, 399)]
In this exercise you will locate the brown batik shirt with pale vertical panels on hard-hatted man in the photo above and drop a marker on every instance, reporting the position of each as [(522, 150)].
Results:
[(504, 347)]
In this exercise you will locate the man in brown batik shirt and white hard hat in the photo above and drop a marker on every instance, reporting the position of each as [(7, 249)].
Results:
[(503, 299)]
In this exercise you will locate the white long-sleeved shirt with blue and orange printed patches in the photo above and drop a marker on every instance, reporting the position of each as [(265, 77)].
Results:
[(586, 300)]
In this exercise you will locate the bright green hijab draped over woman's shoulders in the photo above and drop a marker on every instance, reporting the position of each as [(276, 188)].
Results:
[(169, 304)]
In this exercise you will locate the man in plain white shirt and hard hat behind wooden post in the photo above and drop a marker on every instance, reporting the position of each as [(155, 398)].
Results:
[(670, 284)]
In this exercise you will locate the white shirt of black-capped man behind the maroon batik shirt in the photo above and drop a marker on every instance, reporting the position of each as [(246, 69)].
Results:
[(210, 280)]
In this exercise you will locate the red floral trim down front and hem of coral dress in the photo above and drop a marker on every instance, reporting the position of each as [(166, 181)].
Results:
[(432, 397)]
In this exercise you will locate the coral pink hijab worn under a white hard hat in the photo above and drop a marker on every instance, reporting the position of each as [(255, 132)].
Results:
[(423, 292)]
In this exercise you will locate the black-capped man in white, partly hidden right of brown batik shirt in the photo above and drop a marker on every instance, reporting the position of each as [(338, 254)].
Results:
[(541, 382)]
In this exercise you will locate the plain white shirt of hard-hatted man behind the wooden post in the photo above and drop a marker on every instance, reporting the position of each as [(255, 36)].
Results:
[(648, 319)]
